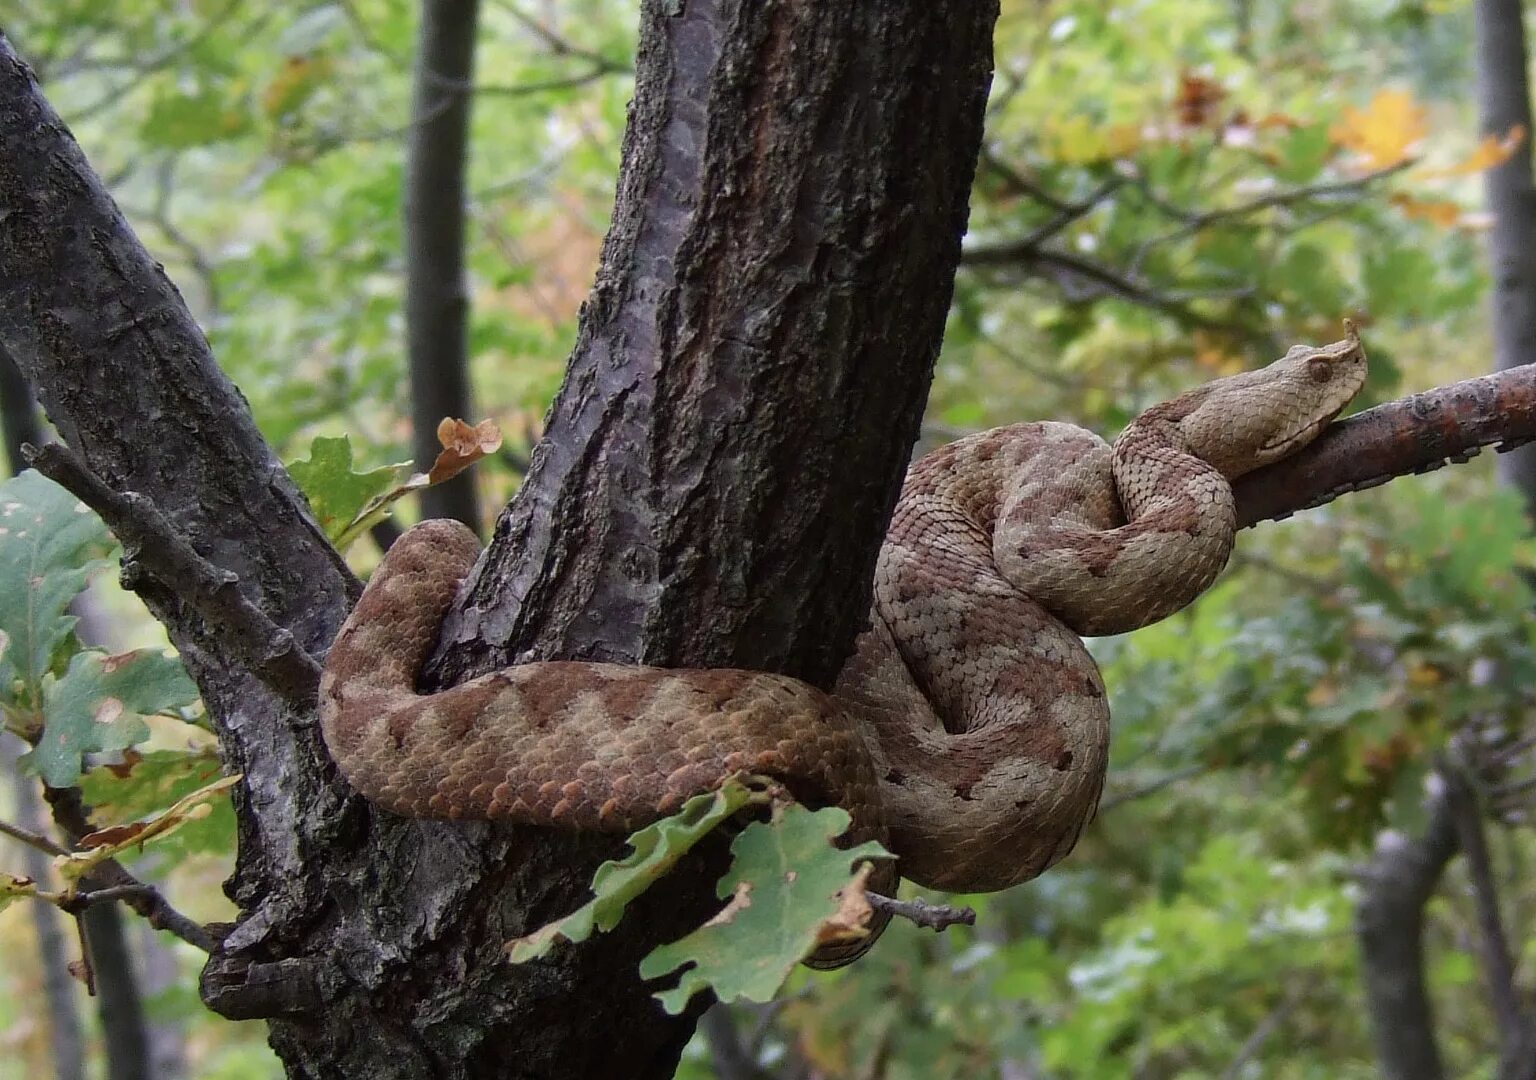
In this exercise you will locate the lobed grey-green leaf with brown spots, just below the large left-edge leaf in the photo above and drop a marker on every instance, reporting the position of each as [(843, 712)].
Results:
[(101, 703)]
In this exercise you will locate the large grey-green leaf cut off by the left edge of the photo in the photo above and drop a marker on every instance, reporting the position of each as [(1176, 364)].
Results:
[(50, 546)]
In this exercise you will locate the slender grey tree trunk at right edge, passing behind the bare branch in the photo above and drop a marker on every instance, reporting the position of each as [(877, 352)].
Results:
[(1503, 104)]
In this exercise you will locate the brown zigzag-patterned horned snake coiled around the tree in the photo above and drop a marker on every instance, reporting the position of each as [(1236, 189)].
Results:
[(970, 729)]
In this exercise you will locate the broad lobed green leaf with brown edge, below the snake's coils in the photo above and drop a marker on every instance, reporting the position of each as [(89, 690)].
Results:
[(786, 886)]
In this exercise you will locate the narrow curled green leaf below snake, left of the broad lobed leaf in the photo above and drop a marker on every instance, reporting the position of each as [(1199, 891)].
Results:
[(657, 849)]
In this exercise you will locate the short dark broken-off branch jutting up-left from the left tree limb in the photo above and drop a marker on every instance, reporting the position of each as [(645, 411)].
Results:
[(153, 543)]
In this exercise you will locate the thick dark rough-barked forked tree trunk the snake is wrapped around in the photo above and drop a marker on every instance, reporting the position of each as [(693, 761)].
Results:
[(747, 386)]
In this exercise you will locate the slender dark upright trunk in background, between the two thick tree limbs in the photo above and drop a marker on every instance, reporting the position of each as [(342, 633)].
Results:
[(437, 293)]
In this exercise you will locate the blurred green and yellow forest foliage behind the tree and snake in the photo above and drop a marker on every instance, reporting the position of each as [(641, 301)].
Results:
[(1316, 853)]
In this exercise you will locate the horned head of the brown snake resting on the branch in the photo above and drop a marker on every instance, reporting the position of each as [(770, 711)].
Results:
[(1246, 422)]
